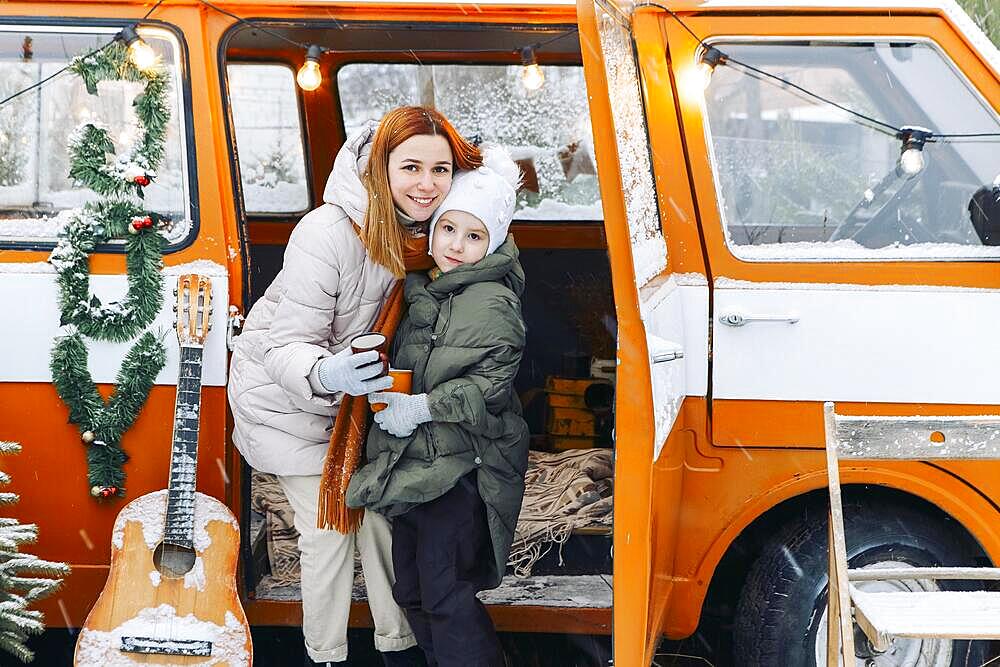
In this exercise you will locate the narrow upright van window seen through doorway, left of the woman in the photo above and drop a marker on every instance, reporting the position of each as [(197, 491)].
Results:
[(269, 138)]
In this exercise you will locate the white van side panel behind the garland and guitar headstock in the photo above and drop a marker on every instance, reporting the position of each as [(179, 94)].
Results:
[(29, 301)]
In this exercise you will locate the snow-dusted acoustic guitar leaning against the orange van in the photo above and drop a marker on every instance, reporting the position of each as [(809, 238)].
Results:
[(171, 598)]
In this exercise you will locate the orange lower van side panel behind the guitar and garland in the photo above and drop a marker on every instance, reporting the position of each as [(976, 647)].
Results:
[(51, 474)]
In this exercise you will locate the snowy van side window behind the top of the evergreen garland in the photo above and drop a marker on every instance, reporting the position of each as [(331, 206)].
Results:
[(37, 124)]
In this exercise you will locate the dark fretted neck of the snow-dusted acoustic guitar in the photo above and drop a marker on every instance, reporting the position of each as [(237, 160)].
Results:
[(179, 527)]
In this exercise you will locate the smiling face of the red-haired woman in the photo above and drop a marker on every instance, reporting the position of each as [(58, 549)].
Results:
[(420, 171)]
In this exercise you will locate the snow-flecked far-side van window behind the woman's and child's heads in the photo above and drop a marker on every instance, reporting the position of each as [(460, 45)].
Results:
[(547, 130)]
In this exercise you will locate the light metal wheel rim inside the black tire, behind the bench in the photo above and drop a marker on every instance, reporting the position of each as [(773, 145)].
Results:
[(904, 651)]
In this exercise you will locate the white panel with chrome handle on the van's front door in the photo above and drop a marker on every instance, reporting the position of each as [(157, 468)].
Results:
[(893, 343)]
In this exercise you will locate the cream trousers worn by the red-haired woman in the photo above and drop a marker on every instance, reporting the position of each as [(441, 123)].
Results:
[(328, 577)]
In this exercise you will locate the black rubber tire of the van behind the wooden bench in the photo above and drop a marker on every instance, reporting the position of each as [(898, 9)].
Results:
[(783, 601)]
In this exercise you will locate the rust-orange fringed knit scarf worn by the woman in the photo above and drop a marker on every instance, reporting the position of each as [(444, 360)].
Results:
[(351, 424)]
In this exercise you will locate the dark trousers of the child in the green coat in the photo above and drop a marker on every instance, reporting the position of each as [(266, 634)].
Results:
[(442, 555)]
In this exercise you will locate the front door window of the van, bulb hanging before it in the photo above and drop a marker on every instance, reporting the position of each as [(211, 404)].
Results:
[(800, 178)]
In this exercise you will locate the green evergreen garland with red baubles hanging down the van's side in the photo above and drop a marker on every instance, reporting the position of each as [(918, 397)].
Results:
[(117, 214)]
